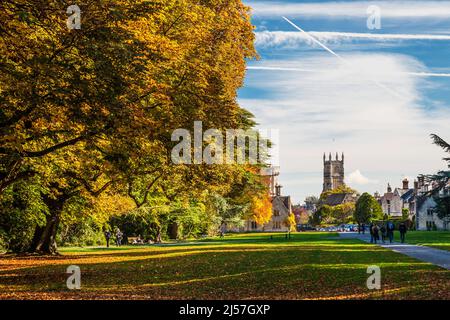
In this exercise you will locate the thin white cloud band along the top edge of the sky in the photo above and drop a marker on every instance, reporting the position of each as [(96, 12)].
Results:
[(392, 9)]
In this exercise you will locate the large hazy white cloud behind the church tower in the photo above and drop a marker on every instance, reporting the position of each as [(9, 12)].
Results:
[(339, 108)]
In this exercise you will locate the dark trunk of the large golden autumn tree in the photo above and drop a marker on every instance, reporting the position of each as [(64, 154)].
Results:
[(44, 240)]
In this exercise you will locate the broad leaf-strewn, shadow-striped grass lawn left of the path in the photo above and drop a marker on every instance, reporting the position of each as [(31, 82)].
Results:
[(249, 266)]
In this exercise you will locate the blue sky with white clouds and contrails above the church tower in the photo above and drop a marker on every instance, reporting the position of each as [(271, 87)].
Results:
[(378, 104)]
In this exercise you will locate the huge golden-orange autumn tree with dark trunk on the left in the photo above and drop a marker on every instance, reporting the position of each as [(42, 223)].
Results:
[(82, 109)]
